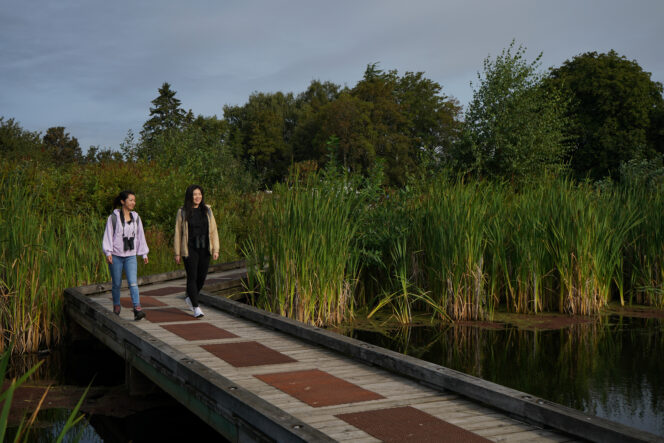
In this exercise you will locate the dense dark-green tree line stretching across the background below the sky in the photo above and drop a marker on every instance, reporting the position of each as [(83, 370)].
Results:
[(591, 116)]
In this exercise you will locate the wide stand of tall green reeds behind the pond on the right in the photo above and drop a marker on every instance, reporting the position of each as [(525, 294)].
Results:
[(556, 246)]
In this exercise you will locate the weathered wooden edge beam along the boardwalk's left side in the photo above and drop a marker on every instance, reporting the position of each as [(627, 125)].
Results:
[(233, 411)]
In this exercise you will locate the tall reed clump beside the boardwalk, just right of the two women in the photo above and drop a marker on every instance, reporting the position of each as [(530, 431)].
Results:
[(302, 261)]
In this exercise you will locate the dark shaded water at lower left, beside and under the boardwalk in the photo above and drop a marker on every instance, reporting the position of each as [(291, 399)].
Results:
[(111, 415)]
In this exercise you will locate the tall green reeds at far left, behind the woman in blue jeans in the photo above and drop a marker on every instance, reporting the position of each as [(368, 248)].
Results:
[(41, 254)]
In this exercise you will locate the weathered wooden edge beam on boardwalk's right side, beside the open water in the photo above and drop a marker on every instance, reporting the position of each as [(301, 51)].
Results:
[(516, 404)]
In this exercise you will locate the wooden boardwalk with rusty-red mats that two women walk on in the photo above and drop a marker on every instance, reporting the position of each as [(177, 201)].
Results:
[(256, 376)]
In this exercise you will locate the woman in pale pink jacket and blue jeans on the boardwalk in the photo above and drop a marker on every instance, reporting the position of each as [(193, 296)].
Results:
[(124, 239)]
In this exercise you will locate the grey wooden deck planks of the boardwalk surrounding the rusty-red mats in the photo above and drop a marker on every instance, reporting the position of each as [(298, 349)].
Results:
[(397, 390)]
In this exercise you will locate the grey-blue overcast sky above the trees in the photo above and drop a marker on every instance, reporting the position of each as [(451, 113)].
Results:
[(94, 66)]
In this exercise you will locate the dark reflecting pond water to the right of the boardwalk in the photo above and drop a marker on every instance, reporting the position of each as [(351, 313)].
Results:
[(612, 368)]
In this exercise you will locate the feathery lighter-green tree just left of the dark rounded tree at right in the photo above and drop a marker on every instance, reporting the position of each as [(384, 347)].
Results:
[(514, 126)]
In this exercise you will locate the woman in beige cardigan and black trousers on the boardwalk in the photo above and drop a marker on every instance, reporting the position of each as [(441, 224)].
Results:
[(196, 238)]
